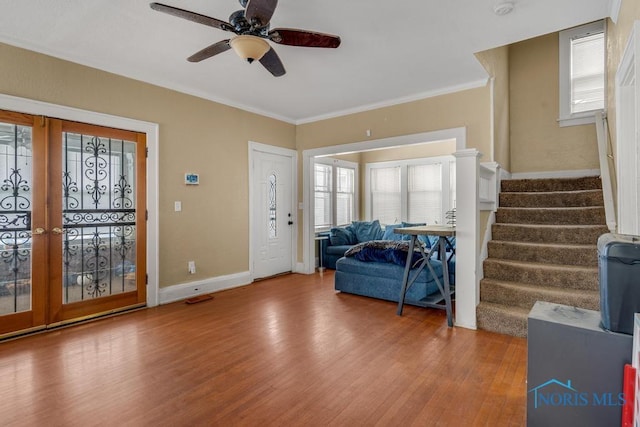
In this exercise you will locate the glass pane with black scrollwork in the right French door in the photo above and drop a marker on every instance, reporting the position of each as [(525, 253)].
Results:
[(99, 215)]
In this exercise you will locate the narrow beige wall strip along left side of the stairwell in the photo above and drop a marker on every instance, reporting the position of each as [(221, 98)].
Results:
[(496, 62)]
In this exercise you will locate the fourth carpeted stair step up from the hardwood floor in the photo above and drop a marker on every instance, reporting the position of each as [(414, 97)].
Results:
[(567, 254)]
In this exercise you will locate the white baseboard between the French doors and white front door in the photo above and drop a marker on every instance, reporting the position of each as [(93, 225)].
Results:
[(187, 290)]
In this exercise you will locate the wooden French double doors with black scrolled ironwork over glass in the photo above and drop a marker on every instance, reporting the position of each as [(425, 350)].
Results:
[(72, 221)]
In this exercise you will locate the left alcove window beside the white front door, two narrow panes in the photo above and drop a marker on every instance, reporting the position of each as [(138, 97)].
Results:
[(335, 183)]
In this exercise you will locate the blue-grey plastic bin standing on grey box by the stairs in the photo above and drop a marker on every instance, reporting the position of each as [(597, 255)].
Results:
[(619, 273)]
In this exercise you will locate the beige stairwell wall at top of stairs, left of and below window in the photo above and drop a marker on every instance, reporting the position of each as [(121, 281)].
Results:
[(537, 143)]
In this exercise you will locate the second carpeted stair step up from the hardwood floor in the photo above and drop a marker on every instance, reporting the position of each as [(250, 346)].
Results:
[(525, 296)]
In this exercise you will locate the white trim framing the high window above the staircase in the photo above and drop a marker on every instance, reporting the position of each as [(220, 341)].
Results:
[(587, 117)]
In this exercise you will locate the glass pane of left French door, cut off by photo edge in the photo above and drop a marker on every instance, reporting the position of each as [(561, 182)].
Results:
[(15, 218)]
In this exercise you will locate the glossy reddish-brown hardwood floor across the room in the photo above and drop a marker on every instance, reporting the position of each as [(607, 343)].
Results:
[(287, 351)]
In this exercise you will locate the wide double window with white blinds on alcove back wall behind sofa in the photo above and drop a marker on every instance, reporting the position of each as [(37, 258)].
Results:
[(416, 191)]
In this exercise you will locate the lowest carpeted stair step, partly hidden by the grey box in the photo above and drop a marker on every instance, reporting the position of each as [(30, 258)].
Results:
[(502, 319)]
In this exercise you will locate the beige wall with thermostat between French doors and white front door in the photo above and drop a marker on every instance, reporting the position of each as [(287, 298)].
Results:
[(196, 135)]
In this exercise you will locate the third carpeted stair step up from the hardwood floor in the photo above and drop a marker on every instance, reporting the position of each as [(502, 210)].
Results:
[(562, 276)]
